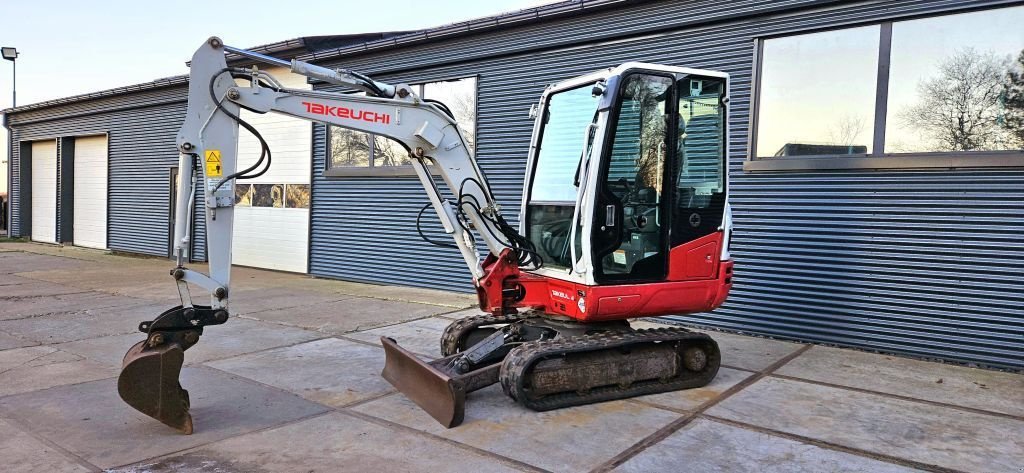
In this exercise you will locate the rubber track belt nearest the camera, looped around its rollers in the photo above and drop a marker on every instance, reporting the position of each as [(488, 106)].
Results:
[(524, 358)]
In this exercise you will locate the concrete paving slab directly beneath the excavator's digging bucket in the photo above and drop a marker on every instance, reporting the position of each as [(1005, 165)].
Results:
[(91, 421)]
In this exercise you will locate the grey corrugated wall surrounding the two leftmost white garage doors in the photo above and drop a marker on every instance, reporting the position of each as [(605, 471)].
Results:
[(143, 130)]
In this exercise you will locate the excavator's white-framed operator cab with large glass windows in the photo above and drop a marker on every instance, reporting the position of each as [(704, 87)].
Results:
[(628, 177)]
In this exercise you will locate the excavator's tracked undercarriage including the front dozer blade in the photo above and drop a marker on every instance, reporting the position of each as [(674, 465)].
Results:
[(546, 363)]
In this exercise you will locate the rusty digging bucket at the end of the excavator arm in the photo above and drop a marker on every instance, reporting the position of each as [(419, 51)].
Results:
[(149, 382)]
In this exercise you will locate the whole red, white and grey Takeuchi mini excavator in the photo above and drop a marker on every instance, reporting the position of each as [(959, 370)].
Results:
[(625, 214)]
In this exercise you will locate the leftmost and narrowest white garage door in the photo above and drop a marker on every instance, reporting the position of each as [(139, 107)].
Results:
[(45, 191)]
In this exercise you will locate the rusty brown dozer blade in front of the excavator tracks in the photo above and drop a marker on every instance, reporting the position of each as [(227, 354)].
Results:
[(442, 397)]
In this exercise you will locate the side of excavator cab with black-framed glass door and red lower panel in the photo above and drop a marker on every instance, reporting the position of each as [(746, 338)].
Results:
[(661, 194)]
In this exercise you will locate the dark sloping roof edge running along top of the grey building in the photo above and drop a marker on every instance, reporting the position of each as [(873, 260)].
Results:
[(323, 48)]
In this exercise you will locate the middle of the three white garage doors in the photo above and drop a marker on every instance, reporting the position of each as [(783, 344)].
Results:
[(91, 192)]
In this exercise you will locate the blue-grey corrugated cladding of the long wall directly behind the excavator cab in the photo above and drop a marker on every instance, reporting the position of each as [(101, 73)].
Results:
[(925, 264)]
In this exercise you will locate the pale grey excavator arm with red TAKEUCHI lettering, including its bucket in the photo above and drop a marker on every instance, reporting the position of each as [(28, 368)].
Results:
[(208, 140)]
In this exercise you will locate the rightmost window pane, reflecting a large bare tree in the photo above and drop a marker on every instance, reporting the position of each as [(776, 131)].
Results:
[(956, 83)]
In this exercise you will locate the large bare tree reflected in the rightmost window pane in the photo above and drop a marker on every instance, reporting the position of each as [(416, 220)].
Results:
[(961, 108)]
